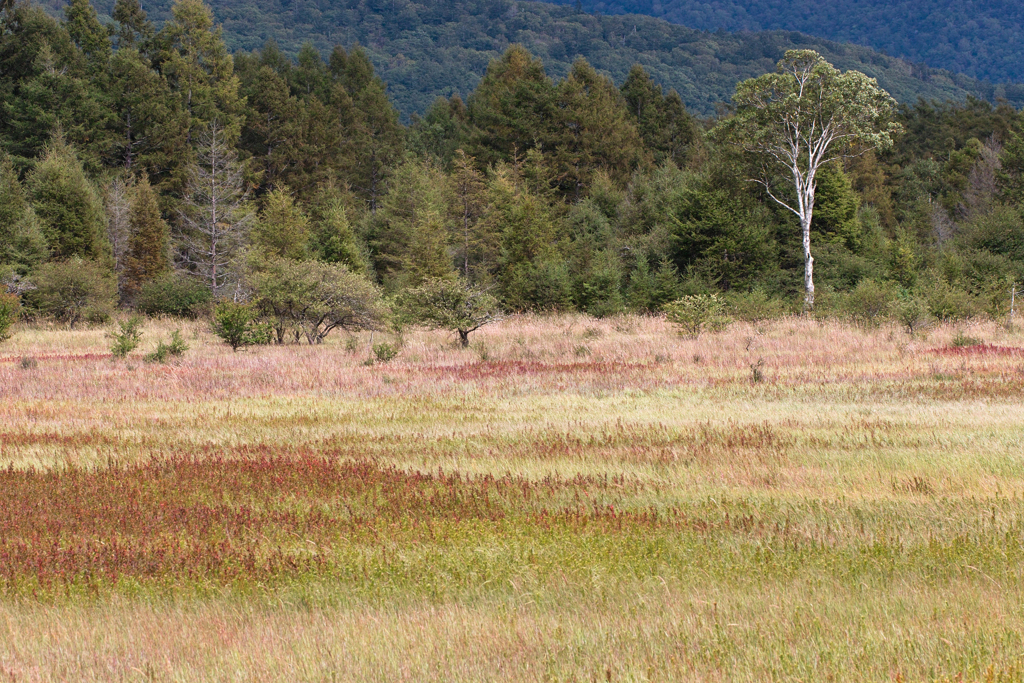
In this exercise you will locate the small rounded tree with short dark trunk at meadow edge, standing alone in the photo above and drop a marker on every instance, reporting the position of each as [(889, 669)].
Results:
[(452, 305)]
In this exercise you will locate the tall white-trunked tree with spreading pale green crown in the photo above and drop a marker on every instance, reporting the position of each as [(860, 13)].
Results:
[(805, 116)]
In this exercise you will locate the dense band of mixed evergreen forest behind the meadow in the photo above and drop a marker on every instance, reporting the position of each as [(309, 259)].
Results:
[(153, 170)]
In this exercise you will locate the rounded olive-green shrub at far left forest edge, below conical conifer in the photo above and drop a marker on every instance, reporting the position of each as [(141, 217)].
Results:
[(73, 291)]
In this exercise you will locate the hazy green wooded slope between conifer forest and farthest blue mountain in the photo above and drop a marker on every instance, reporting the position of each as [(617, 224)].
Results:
[(444, 48)]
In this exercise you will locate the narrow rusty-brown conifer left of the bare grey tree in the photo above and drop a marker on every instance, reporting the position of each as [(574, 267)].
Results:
[(148, 254)]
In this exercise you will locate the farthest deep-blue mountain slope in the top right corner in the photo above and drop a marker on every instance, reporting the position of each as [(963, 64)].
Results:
[(980, 38)]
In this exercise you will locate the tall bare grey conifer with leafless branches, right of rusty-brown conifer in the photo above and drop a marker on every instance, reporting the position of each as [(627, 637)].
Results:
[(215, 215)]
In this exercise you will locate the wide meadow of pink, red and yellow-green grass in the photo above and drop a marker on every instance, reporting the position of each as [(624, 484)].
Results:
[(568, 500)]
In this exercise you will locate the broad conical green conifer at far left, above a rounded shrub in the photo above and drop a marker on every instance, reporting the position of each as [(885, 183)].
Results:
[(68, 204)]
